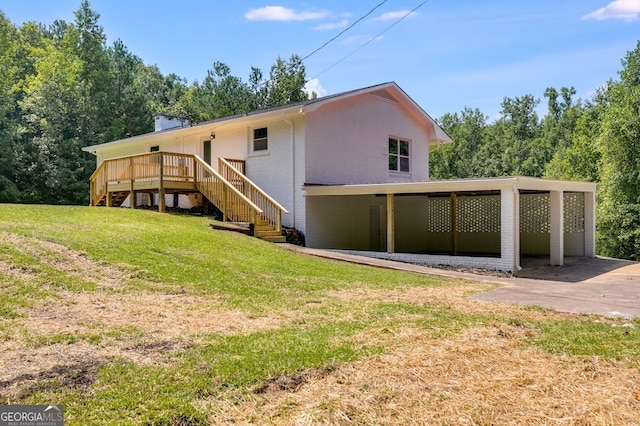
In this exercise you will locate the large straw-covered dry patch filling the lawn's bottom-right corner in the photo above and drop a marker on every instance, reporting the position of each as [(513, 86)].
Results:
[(483, 376)]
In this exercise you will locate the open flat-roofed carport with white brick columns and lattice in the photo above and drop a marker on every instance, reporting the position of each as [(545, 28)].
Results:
[(478, 223)]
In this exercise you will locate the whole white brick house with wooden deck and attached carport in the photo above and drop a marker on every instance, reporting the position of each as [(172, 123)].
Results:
[(351, 172)]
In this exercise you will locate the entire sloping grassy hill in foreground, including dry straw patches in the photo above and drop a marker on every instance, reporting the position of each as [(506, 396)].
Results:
[(134, 317)]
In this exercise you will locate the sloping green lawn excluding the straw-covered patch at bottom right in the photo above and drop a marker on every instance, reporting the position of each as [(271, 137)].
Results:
[(134, 317)]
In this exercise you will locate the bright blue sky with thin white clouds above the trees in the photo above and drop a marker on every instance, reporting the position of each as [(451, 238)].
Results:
[(446, 55)]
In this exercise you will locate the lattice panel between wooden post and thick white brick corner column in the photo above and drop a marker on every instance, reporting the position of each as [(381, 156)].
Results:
[(478, 214)]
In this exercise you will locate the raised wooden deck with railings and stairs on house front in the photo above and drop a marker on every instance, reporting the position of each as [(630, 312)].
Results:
[(239, 199)]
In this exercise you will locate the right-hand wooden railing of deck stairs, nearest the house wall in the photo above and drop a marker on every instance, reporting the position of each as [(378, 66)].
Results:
[(271, 210)]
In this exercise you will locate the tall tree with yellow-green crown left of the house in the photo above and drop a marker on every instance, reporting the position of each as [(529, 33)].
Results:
[(51, 158)]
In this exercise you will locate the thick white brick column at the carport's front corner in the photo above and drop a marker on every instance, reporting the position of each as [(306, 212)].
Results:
[(510, 229)]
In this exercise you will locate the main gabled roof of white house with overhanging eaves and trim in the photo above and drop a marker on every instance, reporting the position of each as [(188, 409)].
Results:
[(389, 90)]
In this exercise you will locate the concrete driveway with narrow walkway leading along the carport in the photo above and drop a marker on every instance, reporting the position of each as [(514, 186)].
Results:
[(602, 286)]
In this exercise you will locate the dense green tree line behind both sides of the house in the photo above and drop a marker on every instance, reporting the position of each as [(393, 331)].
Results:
[(62, 88)]
